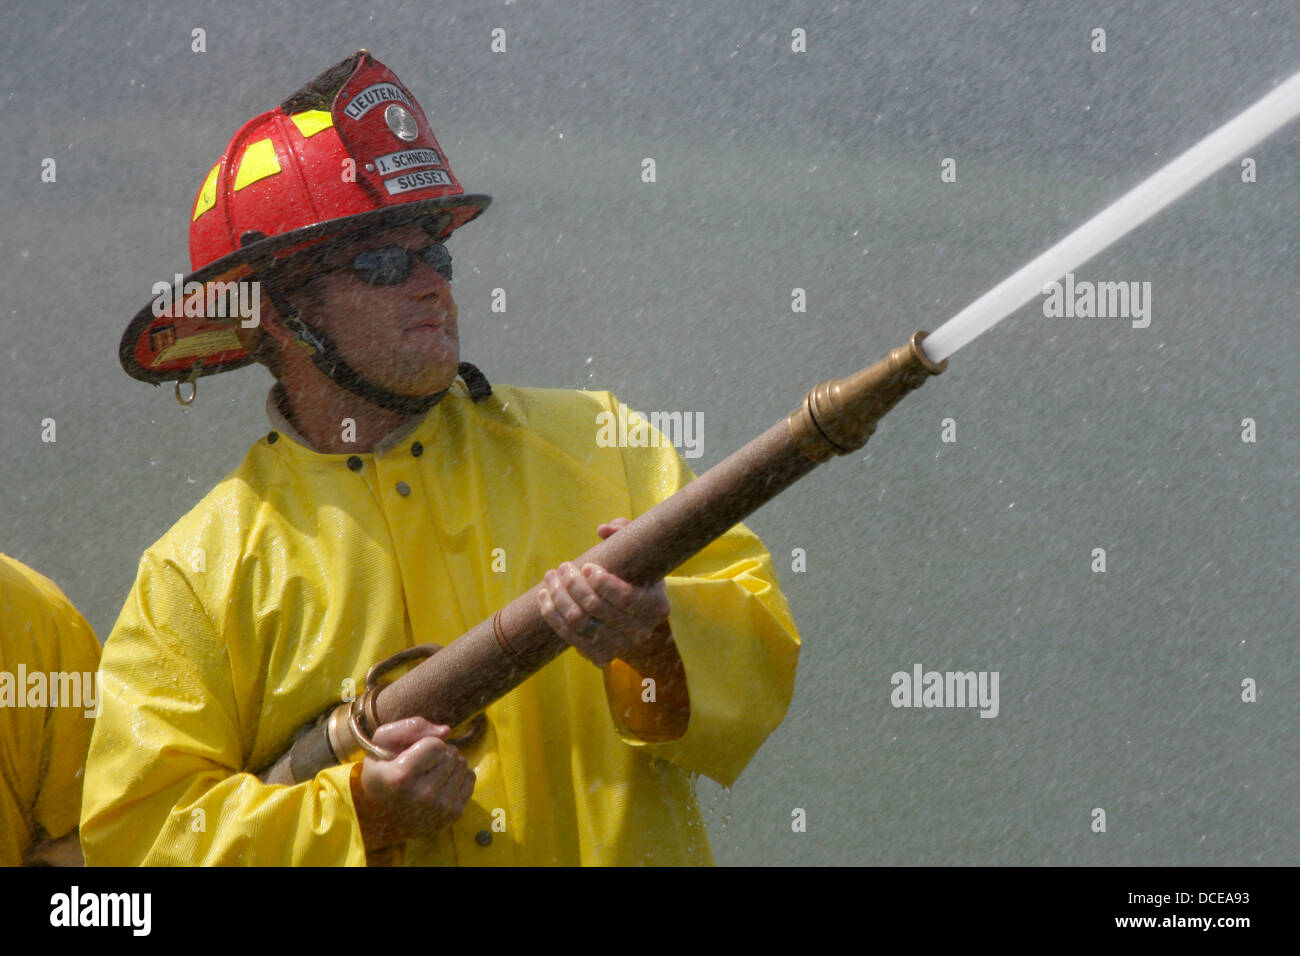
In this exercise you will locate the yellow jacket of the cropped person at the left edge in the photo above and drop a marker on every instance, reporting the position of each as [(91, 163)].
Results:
[(49, 657)]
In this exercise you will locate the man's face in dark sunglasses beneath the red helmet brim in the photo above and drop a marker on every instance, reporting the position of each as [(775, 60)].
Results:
[(401, 338)]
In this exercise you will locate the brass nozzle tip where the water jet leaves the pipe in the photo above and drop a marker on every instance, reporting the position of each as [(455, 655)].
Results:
[(839, 416)]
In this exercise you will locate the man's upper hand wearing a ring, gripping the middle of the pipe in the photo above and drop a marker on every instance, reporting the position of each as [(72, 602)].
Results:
[(600, 615)]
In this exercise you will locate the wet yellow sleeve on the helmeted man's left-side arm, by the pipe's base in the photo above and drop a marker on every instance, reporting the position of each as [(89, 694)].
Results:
[(163, 778)]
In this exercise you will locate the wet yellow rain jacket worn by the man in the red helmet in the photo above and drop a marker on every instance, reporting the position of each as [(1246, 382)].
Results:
[(268, 603)]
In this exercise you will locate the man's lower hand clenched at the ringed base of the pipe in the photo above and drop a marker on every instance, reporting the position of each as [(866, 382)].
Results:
[(421, 793)]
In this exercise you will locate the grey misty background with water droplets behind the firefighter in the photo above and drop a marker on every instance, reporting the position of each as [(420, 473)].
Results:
[(775, 171)]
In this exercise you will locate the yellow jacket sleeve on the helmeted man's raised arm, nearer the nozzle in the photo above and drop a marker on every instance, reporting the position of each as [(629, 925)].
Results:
[(733, 629)]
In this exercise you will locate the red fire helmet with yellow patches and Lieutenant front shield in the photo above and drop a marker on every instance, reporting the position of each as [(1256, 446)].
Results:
[(350, 152)]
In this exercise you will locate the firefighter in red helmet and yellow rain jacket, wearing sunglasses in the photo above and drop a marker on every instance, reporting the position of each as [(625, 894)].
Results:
[(401, 499)]
